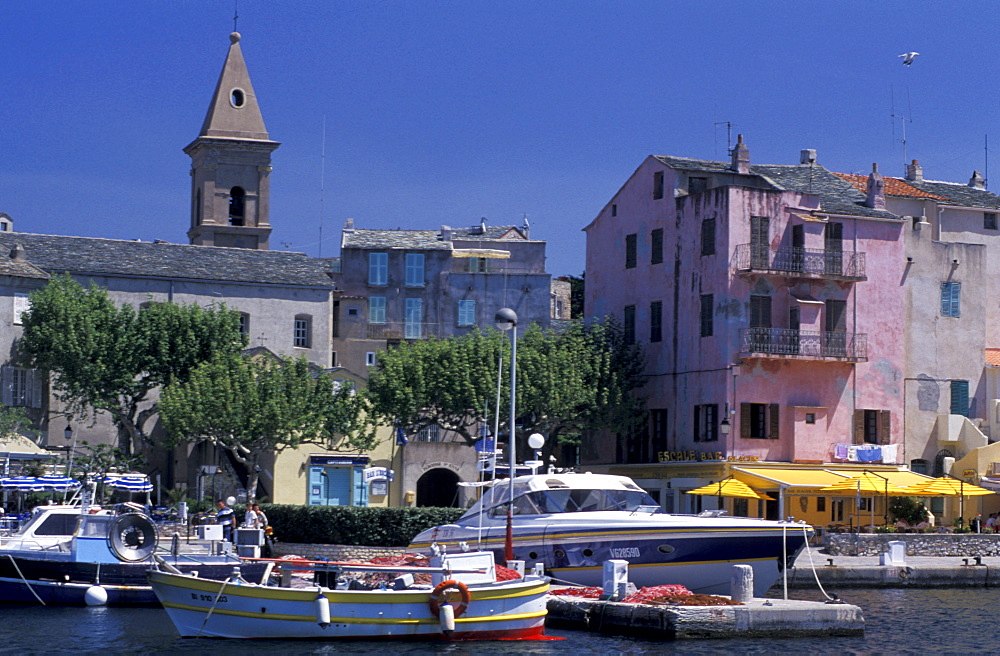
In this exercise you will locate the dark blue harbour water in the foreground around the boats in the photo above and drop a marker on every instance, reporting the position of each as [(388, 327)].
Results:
[(961, 621)]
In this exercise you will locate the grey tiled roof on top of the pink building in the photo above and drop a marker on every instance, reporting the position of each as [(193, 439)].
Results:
[(836, 195)]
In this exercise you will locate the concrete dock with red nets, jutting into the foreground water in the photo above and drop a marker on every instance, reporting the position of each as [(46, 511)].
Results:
[(758, 618)]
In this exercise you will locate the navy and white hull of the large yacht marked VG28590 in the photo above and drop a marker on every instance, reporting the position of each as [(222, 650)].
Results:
[(700, 558)]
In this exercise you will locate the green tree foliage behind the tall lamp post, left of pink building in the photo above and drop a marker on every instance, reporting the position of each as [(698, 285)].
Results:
[(567, 381)]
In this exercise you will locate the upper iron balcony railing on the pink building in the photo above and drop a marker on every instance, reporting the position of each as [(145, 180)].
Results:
[(803, 262)]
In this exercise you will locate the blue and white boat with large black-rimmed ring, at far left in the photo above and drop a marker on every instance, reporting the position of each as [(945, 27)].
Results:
[(80, 554)]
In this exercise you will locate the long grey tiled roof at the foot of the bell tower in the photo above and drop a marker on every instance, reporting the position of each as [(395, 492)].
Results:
[(143, 259)]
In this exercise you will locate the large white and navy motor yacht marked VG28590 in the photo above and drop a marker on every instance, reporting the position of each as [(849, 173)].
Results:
[(572, 523)]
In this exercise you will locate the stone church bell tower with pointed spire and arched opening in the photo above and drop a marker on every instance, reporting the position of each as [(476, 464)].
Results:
[(231, 164)]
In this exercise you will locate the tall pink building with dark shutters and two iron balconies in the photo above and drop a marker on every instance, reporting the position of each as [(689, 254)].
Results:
[(770, 302)]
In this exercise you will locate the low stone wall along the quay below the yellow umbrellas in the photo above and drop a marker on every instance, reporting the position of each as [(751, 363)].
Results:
[(917, 544)]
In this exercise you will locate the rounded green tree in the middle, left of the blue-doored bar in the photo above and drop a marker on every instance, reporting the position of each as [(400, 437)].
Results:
[(252, 406)]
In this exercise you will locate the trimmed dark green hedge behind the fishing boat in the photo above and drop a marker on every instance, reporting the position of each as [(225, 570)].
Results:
[(354, 525)]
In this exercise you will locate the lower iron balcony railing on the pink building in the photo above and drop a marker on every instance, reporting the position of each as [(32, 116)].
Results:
[(804, 344)]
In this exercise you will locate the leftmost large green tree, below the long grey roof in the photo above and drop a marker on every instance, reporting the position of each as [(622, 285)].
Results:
[(109, 359)]
